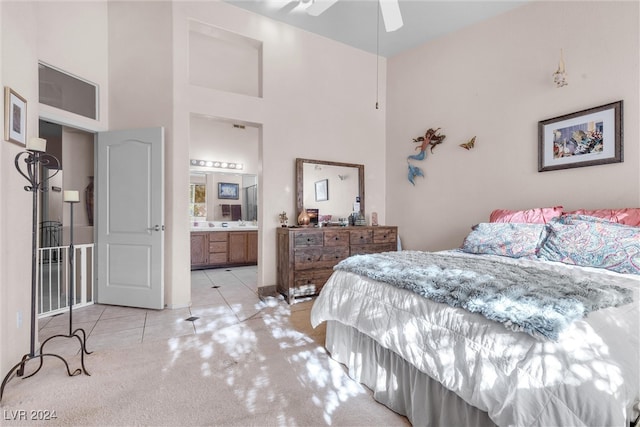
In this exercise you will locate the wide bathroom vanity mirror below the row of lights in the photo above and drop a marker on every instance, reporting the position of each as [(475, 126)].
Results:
[(210, 199)]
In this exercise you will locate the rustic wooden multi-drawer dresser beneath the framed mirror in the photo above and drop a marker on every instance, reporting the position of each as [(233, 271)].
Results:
[(306, 256)]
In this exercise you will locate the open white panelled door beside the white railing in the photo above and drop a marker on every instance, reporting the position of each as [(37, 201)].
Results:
[(130, 218)]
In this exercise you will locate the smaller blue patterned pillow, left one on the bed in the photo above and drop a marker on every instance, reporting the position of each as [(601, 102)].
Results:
[(514, 240)]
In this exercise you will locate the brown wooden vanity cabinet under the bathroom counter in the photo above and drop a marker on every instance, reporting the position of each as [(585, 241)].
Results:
[(223, 248)]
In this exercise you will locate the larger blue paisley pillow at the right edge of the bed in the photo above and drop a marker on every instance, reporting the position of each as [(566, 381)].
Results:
[(592, 242)]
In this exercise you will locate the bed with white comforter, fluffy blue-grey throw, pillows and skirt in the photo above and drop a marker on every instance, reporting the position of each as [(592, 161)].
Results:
[(473, 354)]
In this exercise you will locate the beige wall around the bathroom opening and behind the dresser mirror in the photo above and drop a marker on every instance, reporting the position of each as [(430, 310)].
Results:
[(317, 106)]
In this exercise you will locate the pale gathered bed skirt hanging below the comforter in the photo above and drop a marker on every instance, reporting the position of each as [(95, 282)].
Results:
[(397, 384)]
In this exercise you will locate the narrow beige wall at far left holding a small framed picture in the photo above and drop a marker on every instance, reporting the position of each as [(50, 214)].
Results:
[(15, 216)]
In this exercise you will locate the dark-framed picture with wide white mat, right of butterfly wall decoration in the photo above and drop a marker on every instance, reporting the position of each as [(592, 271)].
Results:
[(585, 138)]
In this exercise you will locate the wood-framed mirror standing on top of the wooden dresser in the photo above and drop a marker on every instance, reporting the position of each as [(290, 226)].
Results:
[(330, 187)]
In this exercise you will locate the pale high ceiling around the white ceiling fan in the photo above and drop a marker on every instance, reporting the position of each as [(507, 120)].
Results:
[(354, 22)]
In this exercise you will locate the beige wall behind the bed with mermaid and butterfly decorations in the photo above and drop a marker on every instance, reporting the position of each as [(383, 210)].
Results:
[(493, 80)]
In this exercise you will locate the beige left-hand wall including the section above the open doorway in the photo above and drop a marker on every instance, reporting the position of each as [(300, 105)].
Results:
[(28, 35)]
